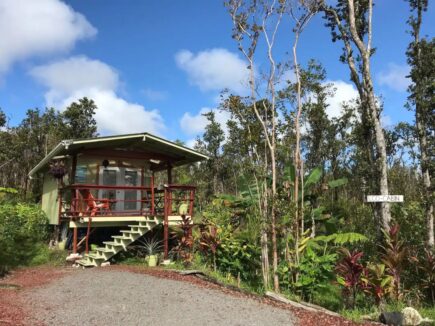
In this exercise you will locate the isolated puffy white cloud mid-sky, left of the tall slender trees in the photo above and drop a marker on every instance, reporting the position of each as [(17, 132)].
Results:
[(214, 69)]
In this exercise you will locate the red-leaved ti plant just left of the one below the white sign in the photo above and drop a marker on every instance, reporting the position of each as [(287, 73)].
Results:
[(349, 271)]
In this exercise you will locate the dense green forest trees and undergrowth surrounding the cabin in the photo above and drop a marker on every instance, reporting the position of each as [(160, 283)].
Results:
[(281, 204)]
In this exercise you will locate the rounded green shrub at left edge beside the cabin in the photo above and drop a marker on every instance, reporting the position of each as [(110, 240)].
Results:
[(22, 227)]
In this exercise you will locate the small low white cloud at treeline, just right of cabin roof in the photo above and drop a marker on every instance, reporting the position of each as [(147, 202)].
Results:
[(195, 124)]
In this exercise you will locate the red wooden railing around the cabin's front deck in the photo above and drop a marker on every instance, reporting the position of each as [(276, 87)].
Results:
[(90, 200)]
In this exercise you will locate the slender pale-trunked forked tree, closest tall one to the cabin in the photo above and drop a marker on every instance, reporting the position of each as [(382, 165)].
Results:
[(252, 20)]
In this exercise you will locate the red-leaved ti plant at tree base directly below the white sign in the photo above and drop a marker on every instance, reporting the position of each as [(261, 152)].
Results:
[(394, 258)]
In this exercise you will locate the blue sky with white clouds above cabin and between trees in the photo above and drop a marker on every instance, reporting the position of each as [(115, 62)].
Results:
[(156, 65)]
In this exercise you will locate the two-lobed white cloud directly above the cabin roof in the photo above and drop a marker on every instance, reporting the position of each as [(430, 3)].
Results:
[(71, 79)]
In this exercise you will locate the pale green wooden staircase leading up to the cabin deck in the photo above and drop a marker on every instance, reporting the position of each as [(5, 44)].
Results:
[(119, 243)]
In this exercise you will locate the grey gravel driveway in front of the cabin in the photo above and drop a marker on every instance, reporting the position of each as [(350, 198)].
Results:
[(107, 297)]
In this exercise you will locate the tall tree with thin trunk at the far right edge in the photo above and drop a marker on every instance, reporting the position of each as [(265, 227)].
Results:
[(421, 58)]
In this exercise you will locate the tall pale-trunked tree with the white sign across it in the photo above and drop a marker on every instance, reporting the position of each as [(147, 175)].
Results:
[(351, 22)]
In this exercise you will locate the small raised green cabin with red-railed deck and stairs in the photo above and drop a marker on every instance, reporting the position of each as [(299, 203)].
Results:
[(121, 182)]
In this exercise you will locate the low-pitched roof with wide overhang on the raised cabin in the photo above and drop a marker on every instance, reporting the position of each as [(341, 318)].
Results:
[(173, 154)]
